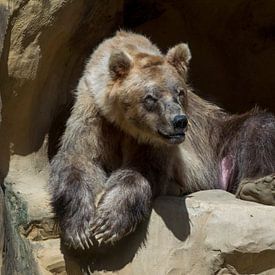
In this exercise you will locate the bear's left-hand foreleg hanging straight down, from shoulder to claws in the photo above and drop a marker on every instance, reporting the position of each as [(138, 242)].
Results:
[(77, 175)]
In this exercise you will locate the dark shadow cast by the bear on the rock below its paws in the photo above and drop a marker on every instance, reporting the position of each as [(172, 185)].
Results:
[(171, 210)]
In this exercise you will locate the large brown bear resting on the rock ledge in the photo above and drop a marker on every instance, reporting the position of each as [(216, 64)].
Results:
[(138, 131)]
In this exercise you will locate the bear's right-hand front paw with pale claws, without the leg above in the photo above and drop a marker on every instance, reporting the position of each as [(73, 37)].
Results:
[(112, 222)]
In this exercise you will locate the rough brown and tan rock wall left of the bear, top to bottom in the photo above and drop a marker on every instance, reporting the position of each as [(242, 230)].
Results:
[(43, 53)]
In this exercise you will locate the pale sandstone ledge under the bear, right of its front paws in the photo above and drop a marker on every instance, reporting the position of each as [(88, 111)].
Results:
[(208, 232)]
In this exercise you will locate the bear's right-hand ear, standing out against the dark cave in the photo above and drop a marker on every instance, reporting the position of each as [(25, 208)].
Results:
[(179, 56)]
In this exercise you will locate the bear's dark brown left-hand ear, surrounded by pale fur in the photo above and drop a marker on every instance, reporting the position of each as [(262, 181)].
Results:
[(119, 64)]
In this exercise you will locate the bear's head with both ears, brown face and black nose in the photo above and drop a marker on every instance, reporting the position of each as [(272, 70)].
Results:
[(148, 95)]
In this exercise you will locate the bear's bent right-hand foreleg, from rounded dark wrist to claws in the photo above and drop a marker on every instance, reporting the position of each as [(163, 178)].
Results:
[(125, 204)]
